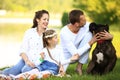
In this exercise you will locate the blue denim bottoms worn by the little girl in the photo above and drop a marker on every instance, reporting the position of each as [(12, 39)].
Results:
[(46, 65)]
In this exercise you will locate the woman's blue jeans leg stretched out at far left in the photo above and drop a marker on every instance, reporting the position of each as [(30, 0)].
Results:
[(16, 69)]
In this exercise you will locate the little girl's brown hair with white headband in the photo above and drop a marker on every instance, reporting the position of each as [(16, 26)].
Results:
[(47, 35)]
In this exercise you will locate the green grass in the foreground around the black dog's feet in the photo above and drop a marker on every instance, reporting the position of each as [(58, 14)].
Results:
[(114, 75)]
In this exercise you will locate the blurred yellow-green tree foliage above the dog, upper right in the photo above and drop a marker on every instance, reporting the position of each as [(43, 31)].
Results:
[(101, 11)]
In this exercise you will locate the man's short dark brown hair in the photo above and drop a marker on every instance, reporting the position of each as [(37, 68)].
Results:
[(74, 16)]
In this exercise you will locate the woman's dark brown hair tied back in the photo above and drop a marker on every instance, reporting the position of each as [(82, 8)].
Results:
[(38, 15)]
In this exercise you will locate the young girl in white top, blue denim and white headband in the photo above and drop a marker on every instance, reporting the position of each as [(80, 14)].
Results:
[(53, 54)]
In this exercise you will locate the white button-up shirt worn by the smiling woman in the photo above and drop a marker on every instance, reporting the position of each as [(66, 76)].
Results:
[(32, 45)]
